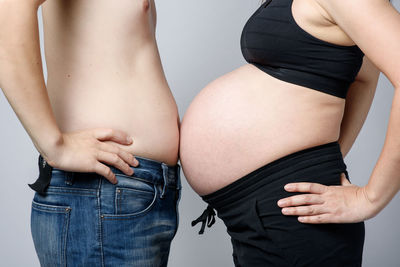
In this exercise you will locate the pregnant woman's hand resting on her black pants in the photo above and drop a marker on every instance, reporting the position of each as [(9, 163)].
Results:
[(347, 203)]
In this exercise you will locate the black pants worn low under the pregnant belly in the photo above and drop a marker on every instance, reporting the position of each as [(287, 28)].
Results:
[(262, 236)]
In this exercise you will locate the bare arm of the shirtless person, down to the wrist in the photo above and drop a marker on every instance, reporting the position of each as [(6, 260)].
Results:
[(21, 74)]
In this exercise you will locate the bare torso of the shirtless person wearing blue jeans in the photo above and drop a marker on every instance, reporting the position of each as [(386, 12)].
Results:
[(104, 70)]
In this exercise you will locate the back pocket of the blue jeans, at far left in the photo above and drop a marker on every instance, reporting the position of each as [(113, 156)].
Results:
[(49, 229)]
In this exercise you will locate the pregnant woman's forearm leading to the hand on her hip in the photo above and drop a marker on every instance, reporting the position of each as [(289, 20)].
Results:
[(384, 182)]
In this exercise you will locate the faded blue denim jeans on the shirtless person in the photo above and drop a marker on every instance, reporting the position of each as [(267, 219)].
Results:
[(84, 220)]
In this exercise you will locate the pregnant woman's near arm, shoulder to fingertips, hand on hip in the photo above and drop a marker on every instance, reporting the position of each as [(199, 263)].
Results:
[(350, 203)]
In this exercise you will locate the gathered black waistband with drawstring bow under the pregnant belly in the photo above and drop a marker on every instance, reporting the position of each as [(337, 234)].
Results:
[(326, 156)]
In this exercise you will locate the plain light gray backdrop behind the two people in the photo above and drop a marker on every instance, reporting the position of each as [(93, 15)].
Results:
[(198, 41)]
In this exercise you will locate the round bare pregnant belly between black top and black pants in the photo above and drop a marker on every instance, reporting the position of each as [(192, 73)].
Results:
[(247, 119)]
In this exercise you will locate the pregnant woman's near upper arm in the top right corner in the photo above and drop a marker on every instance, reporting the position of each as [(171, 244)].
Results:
[(374, 25)]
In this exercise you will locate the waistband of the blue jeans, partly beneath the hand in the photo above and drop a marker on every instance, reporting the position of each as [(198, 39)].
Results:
[(148, 169)]
